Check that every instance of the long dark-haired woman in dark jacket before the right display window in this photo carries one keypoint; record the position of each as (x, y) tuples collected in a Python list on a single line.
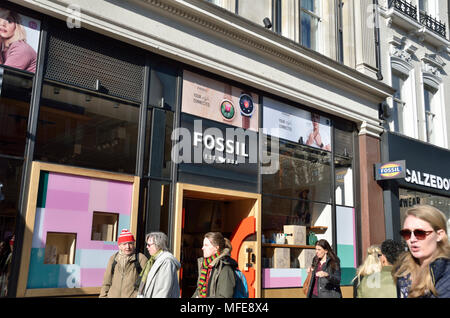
[(326, 273)]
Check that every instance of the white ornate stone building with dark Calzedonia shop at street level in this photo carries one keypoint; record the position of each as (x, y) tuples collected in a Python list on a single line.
[(415, 59)]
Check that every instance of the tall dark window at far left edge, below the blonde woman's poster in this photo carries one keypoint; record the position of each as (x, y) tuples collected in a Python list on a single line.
[(15, 94)]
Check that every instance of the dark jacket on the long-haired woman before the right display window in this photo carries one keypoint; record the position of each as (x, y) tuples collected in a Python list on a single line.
[(329, 287)]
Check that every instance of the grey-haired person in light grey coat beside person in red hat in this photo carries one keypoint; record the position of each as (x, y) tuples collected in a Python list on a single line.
[(159, 278)]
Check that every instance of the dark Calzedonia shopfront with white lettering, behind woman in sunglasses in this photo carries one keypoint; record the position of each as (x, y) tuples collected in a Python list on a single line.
[(426, 181)]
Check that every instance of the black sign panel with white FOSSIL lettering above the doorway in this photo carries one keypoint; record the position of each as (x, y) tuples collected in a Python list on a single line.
[(213, 154)]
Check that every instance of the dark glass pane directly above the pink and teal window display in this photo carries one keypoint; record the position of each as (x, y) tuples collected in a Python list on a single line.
[(88, 130)]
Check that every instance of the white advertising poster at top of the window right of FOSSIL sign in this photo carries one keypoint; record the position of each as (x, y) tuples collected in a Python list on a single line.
[(296, 125)]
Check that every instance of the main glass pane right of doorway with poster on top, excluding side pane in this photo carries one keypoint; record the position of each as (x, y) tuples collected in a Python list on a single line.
[(296, 202)]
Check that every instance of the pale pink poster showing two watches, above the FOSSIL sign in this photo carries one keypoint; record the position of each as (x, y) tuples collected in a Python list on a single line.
[(219, 101)]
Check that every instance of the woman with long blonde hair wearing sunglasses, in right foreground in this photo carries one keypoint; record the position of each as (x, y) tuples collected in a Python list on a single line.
[(424, 271)]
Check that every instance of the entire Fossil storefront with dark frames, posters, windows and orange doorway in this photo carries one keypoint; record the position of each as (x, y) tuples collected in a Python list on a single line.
[(102, 140)]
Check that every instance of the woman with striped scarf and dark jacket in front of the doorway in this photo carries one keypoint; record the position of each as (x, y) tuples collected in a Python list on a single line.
[(216, 268)]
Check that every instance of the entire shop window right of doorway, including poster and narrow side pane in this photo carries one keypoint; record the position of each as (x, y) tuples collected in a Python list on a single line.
[(297, 200)]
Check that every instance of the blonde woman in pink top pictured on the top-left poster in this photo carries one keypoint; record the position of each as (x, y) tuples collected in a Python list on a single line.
[(15, 51)]
